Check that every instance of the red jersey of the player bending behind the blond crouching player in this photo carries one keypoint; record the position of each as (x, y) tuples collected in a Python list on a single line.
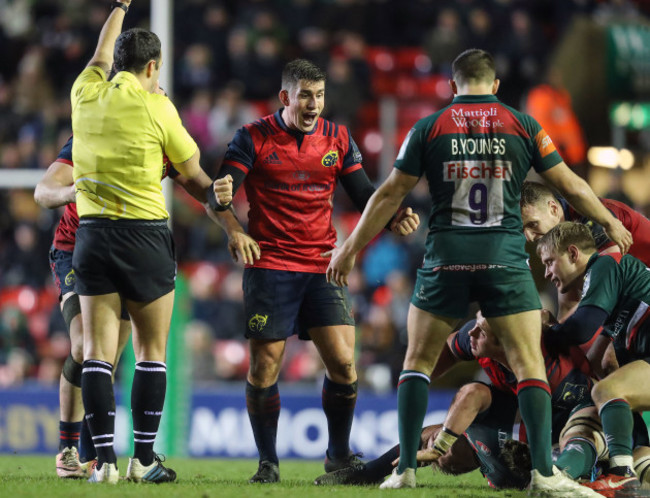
[(635, 222)]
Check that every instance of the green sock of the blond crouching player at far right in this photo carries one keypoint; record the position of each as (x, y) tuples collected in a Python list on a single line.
[(617, 421)]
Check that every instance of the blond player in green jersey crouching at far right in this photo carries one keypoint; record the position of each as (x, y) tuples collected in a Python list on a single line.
[(615, 295)]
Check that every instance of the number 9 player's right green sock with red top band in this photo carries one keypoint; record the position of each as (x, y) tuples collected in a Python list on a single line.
[(534, 397)]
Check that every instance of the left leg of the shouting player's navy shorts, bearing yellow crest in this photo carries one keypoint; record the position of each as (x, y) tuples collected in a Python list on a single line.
[(272, 300)]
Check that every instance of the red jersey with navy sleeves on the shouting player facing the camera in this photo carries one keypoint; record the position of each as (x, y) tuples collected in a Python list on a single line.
[(290, 182)]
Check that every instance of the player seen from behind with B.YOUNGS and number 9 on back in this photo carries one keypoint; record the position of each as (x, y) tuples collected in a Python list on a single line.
[(475, 154)]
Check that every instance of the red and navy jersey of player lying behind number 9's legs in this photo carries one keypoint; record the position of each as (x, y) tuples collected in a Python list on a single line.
[(568, 374)]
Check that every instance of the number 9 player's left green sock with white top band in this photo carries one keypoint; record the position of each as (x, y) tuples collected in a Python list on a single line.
[(412, 401)]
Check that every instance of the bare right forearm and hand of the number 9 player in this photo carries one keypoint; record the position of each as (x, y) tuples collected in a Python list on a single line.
[(582, 198)]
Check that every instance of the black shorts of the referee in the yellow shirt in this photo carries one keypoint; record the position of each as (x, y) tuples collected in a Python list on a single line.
[(135, 258)]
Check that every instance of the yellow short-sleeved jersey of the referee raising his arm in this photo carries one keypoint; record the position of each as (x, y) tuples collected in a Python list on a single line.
[(120, 133)]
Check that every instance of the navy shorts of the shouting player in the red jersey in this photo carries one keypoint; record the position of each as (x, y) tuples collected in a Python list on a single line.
[(279, 303)]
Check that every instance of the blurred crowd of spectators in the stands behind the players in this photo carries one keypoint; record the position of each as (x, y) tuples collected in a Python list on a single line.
[(227, 59)]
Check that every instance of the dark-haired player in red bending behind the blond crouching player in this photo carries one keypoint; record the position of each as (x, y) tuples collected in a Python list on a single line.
[(541, 210)]
